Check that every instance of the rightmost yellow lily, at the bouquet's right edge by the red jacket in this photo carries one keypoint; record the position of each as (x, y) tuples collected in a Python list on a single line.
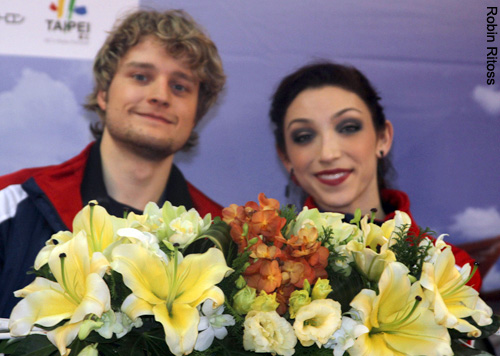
[(451, 299)]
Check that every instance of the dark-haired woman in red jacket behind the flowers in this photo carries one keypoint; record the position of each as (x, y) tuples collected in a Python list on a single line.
[(334, 140)]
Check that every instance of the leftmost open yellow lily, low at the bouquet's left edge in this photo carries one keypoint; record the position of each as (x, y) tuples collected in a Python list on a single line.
[(79, 291)]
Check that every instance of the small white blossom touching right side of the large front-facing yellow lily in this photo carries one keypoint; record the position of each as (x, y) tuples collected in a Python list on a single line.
[(212, 324)]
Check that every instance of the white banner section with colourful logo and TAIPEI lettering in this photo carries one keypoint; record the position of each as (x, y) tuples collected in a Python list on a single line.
[(58, 28)]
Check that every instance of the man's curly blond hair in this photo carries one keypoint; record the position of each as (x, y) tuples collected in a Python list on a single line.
[(183, 39)]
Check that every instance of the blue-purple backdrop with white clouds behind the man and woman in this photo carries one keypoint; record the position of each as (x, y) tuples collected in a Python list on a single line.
[(426, 57)]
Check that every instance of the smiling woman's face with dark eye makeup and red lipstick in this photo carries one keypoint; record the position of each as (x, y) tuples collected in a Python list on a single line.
[(332, 146)]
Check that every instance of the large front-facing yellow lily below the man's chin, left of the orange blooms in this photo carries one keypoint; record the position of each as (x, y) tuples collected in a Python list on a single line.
[(170, 290)]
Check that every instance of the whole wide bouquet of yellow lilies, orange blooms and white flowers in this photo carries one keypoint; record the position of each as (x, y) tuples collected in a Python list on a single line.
[(297, 284)]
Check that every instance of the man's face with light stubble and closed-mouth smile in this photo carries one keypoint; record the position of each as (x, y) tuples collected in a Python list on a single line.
[(151, 103)]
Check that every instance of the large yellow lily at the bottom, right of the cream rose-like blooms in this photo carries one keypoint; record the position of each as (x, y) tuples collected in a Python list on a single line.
[(399, 323)]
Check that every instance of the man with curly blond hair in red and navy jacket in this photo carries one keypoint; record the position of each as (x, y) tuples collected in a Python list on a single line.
[(156, 76)]
